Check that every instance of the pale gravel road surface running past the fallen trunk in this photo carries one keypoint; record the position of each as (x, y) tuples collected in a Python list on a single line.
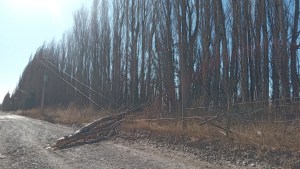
[(24, 142)]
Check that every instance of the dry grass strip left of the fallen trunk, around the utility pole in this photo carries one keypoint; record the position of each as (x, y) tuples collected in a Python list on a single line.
[(69, 115)]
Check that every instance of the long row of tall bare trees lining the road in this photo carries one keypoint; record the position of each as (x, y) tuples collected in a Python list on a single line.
[(189, 52)]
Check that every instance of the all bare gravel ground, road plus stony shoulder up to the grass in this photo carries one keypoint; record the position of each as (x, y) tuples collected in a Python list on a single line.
[(25, 143)]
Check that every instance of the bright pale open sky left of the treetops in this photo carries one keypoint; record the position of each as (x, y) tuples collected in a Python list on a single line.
[(24, 26)]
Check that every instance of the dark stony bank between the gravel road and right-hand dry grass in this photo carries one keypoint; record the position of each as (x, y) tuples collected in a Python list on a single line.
[(213, 151)]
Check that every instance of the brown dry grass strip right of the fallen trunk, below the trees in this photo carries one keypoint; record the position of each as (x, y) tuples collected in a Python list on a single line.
[(271, 136)]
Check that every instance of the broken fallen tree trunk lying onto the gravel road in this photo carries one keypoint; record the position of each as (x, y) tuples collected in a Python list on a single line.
[(101, 129)]
